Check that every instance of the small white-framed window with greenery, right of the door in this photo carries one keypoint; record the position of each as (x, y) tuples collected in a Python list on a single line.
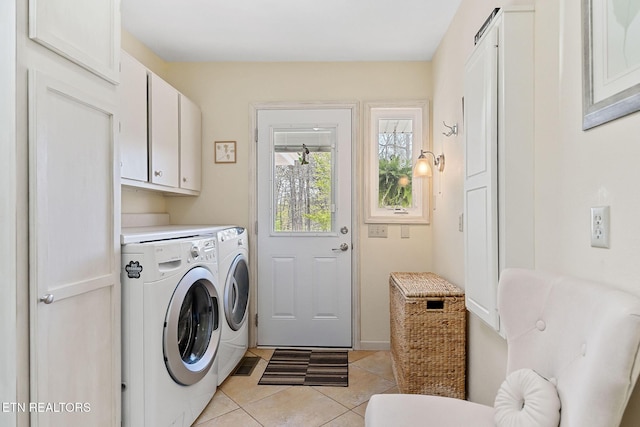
[(395, 134)]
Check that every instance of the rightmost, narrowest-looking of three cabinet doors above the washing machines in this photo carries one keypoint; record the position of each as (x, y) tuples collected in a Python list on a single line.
[(190, 145)]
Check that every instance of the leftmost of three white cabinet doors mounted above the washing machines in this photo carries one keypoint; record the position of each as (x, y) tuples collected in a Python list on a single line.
[(133, 120)]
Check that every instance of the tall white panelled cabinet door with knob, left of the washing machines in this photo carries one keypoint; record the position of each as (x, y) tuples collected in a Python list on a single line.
[(74, 253)]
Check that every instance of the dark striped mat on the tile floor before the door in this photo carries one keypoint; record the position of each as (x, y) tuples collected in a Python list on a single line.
[(307, 367)]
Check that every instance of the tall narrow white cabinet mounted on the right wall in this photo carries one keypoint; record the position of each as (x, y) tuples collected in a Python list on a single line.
[(499, 157)]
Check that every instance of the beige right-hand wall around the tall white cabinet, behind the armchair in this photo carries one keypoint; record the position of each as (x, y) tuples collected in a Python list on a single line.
[(574, 171)]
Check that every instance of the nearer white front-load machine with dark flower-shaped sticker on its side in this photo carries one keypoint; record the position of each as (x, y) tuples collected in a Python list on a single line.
[(172, 319)]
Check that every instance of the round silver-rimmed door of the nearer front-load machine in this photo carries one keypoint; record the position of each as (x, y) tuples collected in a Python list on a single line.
[(192, 327)]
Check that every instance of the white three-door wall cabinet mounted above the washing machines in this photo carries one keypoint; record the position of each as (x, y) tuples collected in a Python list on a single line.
[(160, 132)]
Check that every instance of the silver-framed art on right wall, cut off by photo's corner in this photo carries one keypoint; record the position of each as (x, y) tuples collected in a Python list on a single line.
[(611, 60)]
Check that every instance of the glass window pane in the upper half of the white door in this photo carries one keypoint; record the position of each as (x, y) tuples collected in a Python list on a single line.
[(303, 184)]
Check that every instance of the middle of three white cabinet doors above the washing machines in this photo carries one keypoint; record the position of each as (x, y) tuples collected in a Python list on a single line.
[(164, 132)]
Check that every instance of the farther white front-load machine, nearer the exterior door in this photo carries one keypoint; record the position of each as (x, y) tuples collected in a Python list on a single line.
[(233, 267)]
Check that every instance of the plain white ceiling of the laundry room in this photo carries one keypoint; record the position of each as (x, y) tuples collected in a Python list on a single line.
[(289, 30)]
